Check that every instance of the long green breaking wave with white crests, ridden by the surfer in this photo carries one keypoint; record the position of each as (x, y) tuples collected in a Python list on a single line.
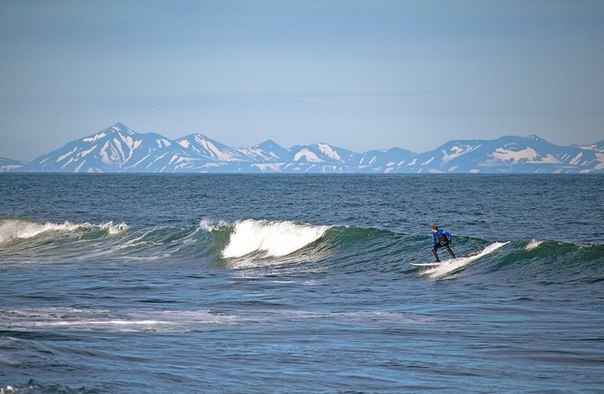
[(252, 243)]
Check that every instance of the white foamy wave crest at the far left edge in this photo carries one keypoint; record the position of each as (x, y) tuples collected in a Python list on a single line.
[(15, 229)]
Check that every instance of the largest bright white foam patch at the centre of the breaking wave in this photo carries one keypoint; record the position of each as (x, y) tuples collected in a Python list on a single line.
[(273, 238)]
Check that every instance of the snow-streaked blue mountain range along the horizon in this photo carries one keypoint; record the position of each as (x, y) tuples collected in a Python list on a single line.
[(118, 149)]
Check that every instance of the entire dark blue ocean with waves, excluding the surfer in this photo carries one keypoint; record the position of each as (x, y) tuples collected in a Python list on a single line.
[(300, 283)]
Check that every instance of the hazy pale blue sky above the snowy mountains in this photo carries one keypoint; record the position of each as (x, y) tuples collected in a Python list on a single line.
[(356, 74)]
